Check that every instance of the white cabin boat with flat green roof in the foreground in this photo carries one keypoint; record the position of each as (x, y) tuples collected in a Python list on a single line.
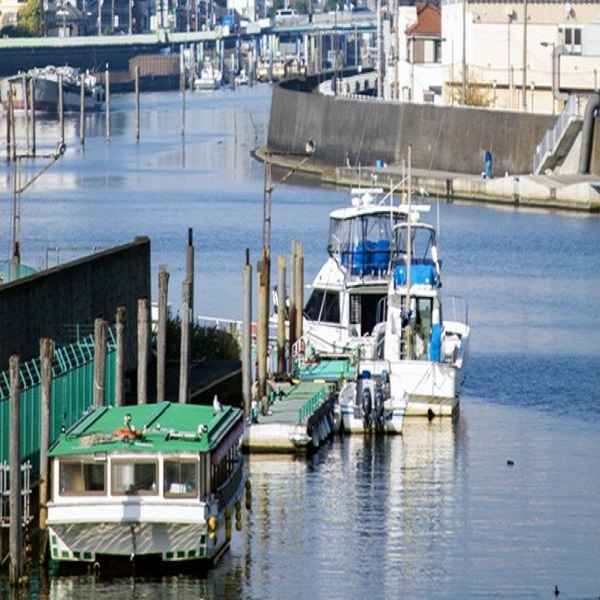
[(145, 484)]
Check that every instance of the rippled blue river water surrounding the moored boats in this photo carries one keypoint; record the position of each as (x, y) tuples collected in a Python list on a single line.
[(502, 503)]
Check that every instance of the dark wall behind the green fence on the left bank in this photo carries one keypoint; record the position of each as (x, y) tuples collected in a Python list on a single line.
[(51, 303)]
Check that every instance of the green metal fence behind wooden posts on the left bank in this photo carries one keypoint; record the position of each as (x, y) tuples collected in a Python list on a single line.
[(71, 394)]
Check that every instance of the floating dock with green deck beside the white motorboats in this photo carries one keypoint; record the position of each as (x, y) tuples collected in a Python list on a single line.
[(299, 416)]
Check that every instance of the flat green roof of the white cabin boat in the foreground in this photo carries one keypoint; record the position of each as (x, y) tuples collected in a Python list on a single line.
[(164, 428)]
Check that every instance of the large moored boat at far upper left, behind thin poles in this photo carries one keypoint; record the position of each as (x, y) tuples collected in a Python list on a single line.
[(46, 90)]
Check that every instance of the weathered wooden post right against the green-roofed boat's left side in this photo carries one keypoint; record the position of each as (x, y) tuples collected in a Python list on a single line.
[(46, 357)]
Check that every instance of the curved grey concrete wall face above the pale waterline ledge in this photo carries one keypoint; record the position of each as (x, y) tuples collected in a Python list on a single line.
[(442, 138)]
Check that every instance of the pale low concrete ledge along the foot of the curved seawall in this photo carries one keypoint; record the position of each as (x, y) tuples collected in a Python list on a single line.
[(576, 193)]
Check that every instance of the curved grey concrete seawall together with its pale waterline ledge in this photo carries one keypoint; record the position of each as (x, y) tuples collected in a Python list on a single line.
[(448, 147)]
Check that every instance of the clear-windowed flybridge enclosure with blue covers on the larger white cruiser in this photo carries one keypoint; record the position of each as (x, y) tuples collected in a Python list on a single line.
[(362, 243)]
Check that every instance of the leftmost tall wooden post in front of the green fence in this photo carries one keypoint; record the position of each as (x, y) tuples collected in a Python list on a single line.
[(15, 508)]
